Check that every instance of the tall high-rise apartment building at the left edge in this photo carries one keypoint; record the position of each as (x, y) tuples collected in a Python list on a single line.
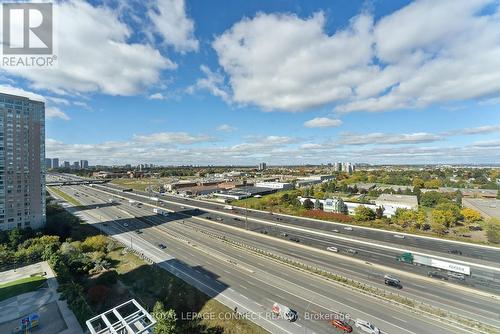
[(22, 162)]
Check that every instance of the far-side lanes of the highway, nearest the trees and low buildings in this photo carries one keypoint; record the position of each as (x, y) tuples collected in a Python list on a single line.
[(485, 272)]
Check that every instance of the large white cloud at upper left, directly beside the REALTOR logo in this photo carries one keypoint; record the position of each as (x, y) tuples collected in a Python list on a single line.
[(94, 54)]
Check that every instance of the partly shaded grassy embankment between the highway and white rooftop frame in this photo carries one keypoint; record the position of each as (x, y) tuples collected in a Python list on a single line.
[(147, 284)]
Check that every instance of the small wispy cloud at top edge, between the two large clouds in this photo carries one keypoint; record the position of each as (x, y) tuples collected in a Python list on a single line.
[(170, 20)]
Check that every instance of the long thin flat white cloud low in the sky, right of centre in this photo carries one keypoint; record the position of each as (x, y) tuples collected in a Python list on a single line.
[(388, 138)]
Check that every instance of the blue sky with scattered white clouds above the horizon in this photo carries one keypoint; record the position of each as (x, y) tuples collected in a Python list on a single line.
[(232, 82)]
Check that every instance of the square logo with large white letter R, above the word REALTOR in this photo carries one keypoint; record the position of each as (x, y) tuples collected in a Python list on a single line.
[(27, 29)]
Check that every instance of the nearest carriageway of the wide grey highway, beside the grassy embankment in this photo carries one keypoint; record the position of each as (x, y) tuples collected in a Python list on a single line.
[(296, 288)]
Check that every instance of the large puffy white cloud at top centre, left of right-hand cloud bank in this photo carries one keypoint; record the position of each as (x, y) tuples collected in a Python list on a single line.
[(288, 63)]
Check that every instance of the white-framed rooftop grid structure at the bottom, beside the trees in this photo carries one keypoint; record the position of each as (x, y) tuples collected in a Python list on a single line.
[(127, 318)]
